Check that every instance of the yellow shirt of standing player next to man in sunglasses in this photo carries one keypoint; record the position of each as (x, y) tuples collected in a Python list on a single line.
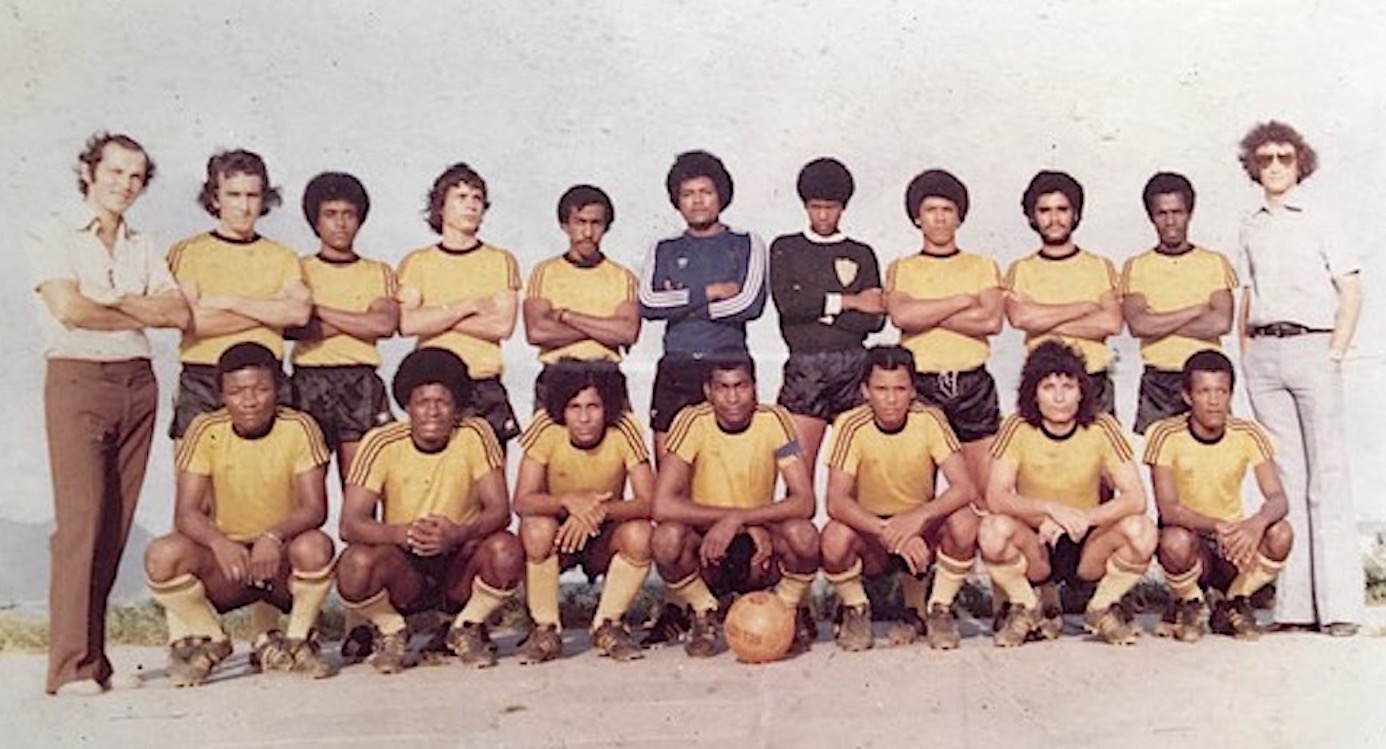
[(1176, 282)]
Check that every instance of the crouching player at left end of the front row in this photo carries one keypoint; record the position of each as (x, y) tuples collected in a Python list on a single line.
[(250, 504)]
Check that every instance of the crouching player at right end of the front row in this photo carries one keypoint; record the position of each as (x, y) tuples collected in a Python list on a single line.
[(1198, 464)]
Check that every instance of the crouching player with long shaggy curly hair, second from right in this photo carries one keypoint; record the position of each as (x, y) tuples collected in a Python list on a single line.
[(1050, 521)]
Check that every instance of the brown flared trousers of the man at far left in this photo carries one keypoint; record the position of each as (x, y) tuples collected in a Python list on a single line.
[(100, 422)]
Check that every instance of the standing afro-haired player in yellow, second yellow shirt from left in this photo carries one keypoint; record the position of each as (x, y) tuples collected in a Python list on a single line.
[(354, 307)]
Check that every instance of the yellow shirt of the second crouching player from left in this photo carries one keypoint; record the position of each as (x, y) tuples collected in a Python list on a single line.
[(415, 485)]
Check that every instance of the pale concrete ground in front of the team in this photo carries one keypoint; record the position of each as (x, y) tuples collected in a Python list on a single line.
[(1284, 691)]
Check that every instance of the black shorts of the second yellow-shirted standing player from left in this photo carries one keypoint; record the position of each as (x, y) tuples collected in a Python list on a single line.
[(346, 402)]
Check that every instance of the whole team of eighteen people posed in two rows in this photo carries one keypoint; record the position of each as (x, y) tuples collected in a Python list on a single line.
[(708, 481)]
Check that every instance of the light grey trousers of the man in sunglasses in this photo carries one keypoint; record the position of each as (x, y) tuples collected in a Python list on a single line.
[(1297, 393)]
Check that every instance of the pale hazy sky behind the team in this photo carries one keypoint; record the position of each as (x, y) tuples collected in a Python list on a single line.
[(540, 96)]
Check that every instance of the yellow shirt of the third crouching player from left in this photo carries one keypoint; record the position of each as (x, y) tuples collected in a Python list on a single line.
[(572, 470)]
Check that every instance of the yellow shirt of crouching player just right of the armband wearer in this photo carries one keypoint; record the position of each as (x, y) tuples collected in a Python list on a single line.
[(895, 471)]
